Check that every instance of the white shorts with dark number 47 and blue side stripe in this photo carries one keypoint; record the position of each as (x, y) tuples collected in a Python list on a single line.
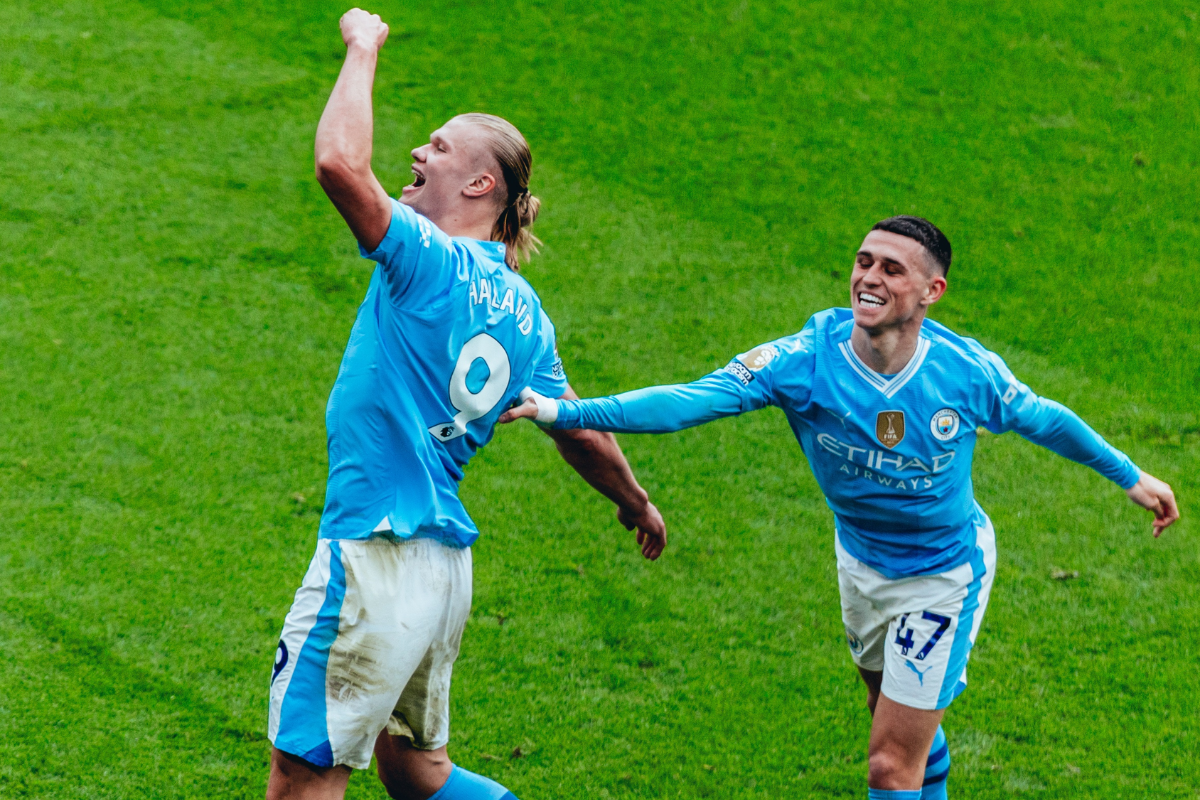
[(917, 631)]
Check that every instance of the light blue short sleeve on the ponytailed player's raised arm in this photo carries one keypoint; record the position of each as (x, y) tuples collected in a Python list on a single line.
[(417, 260)]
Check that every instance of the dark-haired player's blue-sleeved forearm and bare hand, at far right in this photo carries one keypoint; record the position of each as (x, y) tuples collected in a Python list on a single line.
[(1057, 428)]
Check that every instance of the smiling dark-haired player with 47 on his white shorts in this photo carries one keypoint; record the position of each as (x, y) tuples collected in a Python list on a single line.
[(886, 405)]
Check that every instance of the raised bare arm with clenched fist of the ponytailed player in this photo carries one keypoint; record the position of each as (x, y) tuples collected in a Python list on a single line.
[(345, 135)]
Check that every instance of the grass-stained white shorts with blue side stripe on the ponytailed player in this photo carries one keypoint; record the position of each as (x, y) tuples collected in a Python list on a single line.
[(369, 645)]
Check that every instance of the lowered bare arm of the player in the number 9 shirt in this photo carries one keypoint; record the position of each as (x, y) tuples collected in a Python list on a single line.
[(597, 458)]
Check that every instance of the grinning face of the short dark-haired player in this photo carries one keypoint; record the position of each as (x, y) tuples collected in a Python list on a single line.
[(893, 284)]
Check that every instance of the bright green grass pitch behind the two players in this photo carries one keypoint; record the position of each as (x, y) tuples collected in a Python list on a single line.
[(176, 293)]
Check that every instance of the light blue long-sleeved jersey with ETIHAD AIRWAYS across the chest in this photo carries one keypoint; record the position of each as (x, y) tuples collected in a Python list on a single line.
[(891, 453)]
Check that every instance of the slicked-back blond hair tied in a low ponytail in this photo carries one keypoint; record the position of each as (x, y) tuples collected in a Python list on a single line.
[(519, 208)]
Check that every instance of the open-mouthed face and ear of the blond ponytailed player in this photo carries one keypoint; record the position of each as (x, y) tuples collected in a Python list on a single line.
[(453, 172)]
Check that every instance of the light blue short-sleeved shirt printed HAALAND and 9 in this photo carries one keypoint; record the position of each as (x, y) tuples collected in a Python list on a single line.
[(445, 341)]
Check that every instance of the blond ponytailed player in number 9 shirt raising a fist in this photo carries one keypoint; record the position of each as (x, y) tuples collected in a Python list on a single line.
[(447, 338)]
